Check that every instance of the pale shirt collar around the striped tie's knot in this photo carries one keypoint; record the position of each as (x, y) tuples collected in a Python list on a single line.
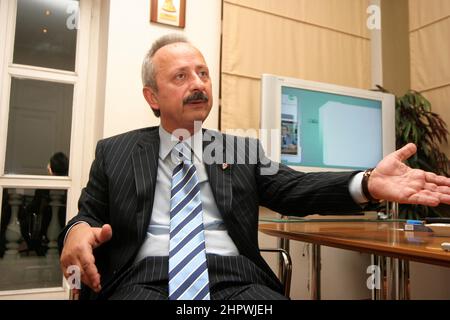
[(168, 141)]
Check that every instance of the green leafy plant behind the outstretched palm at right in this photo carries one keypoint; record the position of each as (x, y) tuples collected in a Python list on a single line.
[(416, 123)]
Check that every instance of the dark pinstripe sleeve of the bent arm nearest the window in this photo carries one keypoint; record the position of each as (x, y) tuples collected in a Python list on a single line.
[(93, 202)]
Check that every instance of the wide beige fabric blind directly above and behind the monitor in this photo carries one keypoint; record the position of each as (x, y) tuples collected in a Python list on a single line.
[(320, 40)]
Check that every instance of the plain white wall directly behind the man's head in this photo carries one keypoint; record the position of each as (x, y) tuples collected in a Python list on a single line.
[(129, 38)]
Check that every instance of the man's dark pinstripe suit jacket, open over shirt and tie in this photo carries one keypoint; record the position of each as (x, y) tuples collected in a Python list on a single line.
[(122, 183)]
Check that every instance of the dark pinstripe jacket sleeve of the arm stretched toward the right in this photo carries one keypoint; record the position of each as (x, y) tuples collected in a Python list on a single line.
[(291, 192)]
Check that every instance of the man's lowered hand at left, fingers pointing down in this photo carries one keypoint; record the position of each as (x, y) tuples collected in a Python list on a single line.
[(78, 251)]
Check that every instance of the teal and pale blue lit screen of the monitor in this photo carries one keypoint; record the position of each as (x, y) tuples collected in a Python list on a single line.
[(320, 129)]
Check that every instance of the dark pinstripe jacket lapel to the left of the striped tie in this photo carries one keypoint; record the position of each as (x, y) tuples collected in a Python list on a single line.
[(145, 165)]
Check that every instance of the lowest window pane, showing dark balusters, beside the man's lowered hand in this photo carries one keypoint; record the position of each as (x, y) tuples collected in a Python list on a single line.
[(31, 220)]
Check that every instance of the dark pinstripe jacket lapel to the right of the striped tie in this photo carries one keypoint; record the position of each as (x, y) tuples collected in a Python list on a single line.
[(219, 174)]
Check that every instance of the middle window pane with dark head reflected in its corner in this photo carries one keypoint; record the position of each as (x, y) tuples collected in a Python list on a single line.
[(39, 127)]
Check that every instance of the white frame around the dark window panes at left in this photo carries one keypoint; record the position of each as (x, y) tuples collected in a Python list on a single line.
[(80, 145)]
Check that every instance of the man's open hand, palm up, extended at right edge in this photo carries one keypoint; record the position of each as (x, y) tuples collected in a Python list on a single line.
[(393, 180)]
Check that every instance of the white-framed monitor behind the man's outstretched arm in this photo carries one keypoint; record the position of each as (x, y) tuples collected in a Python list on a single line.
[(313, 126)]
